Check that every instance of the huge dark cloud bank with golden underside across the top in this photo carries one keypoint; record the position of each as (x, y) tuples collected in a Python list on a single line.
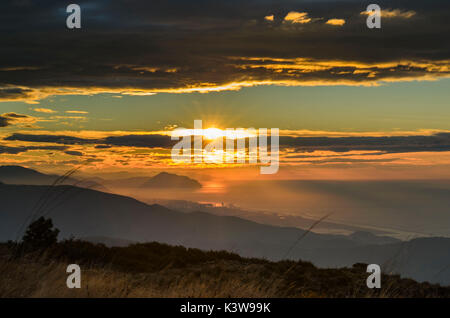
[(187, 45)]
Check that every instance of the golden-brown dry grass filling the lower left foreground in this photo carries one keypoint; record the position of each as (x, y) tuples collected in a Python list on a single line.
[(24, 279)]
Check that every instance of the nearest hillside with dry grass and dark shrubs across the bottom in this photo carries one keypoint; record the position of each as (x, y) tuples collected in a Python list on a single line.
[(158, 270)]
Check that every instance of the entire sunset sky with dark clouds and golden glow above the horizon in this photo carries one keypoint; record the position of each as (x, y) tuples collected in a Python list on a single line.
[(350, 102)]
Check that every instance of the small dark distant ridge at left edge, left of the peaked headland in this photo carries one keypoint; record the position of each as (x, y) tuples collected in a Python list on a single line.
[(22, 175)]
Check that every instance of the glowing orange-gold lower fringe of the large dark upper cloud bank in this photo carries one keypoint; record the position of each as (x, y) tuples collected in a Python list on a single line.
[(264, 71)]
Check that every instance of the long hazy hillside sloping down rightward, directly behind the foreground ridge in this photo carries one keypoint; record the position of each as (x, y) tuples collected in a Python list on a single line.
[(88, 213)]
